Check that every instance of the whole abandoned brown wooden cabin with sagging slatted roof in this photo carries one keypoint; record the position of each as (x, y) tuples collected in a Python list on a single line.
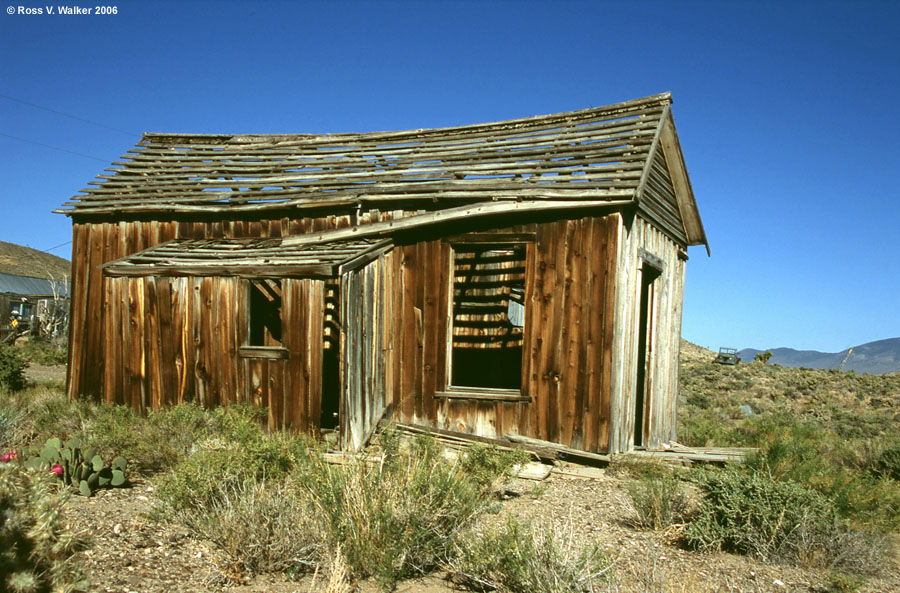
[(521, 277)]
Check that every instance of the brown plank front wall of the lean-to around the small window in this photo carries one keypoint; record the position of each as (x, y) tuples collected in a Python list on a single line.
[(173, 340)]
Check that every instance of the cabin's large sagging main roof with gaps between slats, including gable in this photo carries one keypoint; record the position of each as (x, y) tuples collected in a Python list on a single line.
[(622, 153)]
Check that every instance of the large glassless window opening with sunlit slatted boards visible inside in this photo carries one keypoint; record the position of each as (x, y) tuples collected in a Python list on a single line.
[(488, 316)]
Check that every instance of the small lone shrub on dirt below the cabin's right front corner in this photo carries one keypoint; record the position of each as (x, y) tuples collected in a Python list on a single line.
[(657, 501)]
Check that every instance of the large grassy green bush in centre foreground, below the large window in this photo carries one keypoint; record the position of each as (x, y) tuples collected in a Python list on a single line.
[(397, 517)]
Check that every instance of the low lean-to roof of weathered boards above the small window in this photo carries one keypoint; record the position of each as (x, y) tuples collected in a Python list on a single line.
[(252, 258)]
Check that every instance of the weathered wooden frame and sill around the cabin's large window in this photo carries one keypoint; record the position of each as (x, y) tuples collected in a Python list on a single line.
[(466, 392)]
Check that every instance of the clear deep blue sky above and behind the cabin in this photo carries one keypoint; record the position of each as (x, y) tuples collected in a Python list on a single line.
[(787, 114)]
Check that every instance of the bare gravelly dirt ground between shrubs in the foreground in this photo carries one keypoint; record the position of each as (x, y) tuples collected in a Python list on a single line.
[(131, 553)]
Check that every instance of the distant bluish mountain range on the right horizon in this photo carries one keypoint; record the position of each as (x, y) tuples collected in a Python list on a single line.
[(877, 358)]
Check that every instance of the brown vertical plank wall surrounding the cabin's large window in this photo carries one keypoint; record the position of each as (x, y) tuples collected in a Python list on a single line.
[(568, 338)]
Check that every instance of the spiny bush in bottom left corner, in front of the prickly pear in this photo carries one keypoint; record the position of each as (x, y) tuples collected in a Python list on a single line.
[(36, 545)]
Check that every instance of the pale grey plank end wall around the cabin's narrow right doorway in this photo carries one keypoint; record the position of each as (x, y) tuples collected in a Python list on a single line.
[(638, 239)]
